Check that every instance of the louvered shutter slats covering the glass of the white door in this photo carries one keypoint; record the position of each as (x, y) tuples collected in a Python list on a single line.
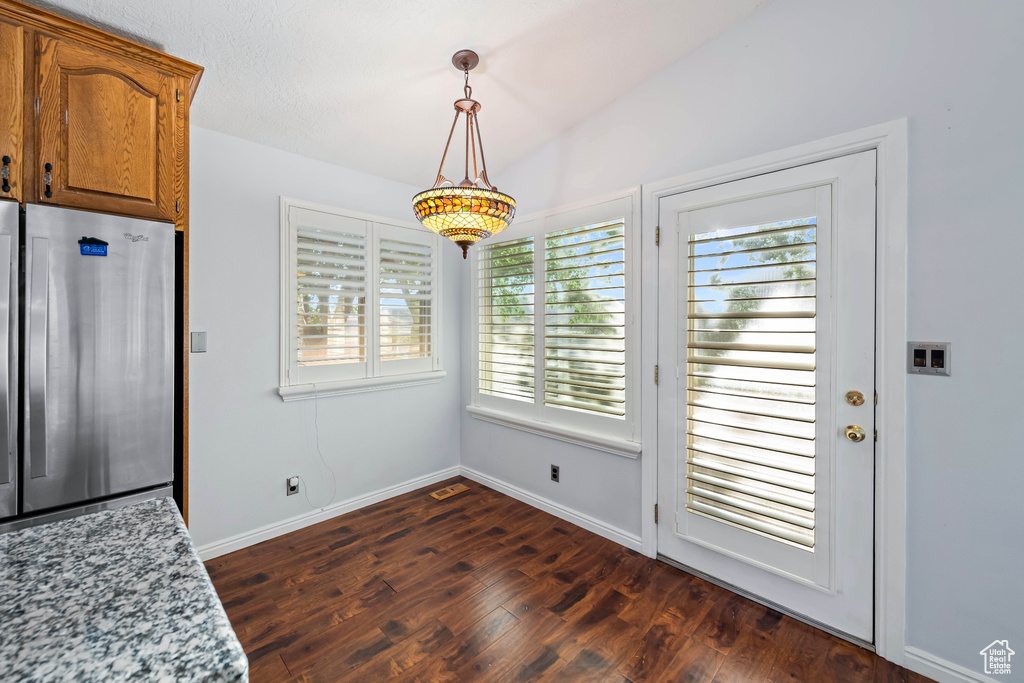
[(751, 379)]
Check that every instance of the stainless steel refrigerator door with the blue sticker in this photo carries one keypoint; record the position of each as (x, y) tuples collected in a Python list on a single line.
[(99, 388)]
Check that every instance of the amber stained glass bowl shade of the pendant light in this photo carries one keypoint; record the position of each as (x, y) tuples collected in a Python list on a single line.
[(464, 216)]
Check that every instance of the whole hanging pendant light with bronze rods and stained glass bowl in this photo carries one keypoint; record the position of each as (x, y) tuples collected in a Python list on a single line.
[(473, 210)]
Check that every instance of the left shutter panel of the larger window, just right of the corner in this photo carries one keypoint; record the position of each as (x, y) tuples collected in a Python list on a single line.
[(506, 300)]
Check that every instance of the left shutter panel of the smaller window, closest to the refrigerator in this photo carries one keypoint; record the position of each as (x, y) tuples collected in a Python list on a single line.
[(331, 263)]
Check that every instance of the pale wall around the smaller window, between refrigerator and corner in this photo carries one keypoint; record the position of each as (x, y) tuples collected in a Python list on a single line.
[(244, 442)]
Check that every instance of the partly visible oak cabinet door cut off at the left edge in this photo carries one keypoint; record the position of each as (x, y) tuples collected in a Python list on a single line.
[(12, 110)]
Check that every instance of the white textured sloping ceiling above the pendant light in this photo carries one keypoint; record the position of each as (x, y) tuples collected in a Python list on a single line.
[(369, 84)]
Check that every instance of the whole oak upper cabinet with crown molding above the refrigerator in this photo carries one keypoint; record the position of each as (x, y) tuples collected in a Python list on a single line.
[(91, 120)]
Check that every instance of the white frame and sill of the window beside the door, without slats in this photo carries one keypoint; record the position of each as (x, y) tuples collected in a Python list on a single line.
[(620, 437)]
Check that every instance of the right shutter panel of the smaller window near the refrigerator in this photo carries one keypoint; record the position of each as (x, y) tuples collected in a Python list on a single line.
[(407, 296)]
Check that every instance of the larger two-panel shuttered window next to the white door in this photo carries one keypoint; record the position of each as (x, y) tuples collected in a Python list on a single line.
[(557, 330)]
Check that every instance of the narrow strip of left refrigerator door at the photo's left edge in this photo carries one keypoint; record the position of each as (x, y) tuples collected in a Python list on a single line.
[(9, 358)]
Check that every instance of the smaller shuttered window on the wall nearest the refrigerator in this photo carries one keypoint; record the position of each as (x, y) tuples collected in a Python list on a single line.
[(360, 303)]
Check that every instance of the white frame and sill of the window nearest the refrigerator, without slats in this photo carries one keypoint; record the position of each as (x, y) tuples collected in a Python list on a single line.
[(373, 374)]
